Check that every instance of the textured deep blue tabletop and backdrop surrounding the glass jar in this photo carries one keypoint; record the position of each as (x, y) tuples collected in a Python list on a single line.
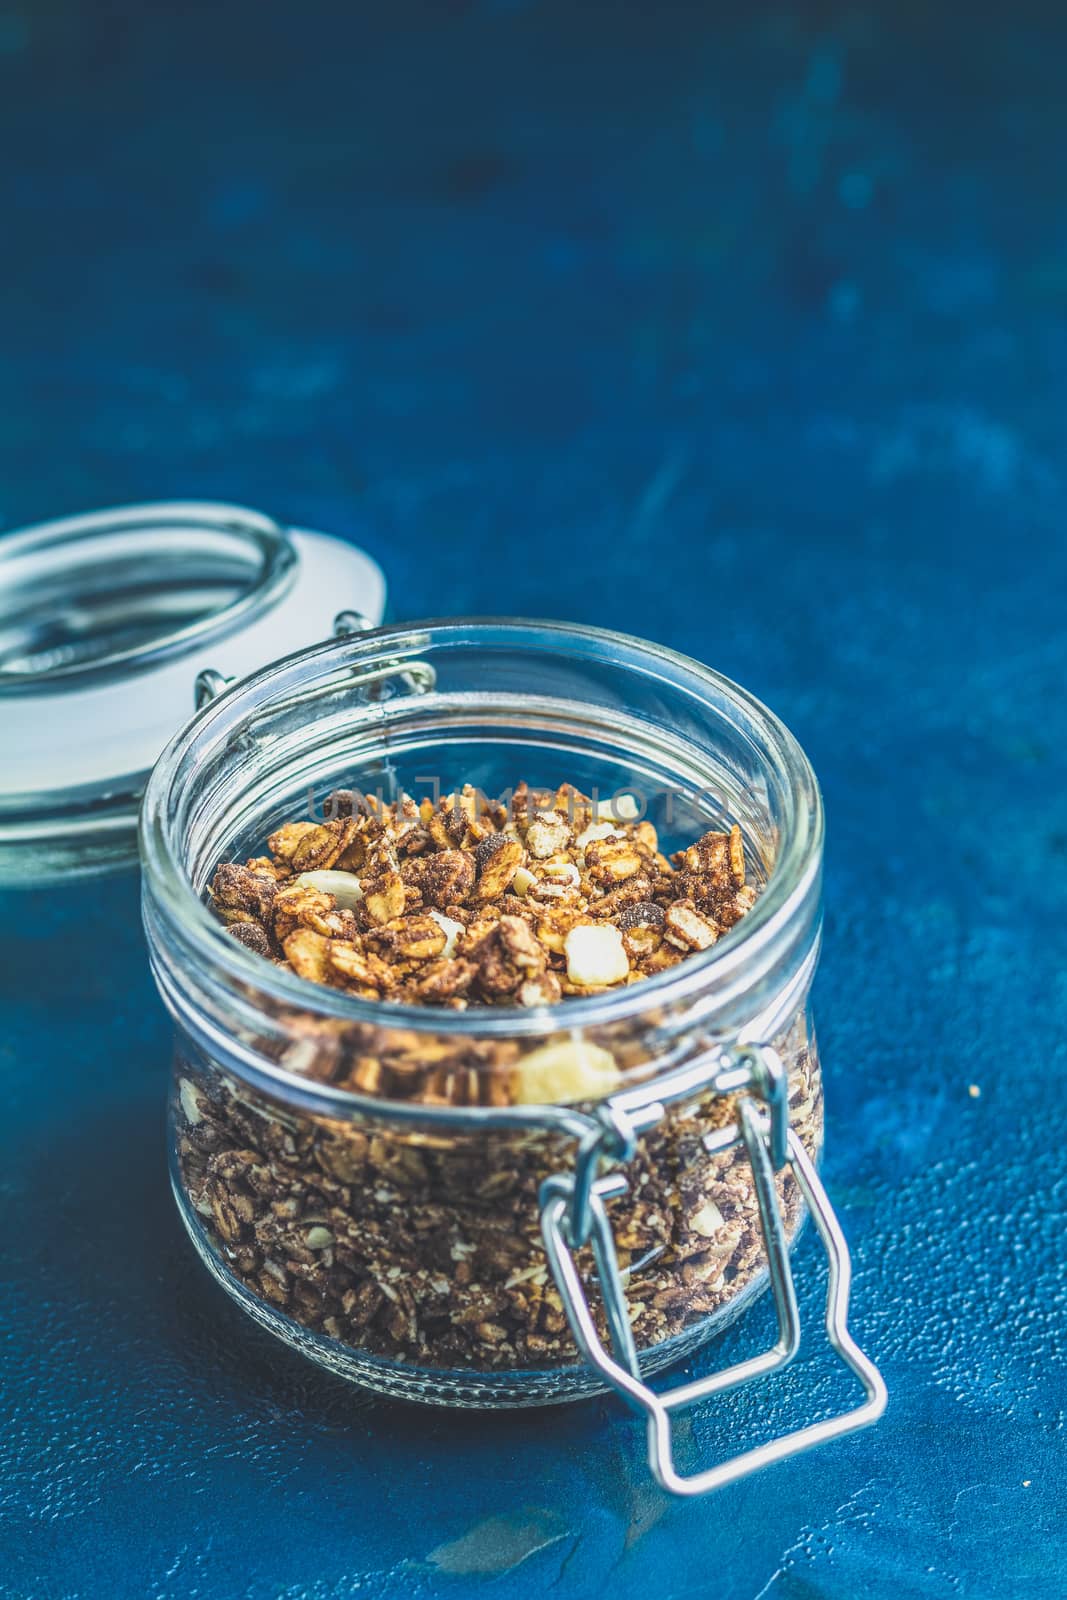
[(749, 337)]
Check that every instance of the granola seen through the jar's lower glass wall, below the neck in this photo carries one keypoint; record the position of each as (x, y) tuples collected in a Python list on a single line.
[(428, 1250)]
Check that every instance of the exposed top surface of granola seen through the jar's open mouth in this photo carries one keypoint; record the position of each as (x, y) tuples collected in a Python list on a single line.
[(476, 903)]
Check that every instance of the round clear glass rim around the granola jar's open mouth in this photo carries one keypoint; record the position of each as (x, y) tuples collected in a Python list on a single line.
[(788, 890)]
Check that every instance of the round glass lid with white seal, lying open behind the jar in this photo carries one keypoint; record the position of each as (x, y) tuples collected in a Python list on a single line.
[(108, 623)]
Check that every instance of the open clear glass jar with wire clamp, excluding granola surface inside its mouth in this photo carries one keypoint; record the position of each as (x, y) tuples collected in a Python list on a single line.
[(364, 1177)]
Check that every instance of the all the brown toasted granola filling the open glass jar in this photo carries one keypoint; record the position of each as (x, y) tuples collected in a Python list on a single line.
[(425, 1247)]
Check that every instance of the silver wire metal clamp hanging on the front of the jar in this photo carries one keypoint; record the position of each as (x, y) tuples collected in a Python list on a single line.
[(573, 1199)]
